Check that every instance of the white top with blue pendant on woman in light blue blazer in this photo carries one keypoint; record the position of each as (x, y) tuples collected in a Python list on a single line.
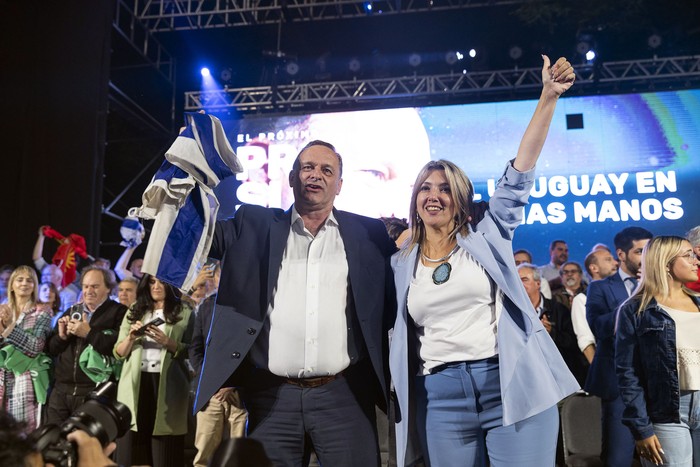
[(455, 321)]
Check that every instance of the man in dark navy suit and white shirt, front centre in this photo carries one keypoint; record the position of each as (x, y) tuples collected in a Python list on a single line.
[(301, 319)]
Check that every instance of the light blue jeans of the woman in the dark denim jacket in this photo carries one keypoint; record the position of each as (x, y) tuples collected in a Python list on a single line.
[(681, 441)]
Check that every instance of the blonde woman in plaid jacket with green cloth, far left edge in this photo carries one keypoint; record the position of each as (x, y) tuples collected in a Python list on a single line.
[(24, 328)]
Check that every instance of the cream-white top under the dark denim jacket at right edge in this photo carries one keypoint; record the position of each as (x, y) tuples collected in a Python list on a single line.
[(687, 347)]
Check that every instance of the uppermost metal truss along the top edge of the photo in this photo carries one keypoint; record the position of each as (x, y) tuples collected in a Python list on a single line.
[(174, 15)]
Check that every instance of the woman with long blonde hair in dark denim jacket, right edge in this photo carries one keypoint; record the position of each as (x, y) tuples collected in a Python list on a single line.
[(657, 356)]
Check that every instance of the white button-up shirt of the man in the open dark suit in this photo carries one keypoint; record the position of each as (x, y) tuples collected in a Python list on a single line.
[(306, 332)]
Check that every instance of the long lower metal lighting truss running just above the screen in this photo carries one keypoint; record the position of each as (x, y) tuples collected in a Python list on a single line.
[(634, 75)]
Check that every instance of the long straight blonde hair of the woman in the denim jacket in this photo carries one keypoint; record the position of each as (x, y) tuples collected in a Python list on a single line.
[(657, 258)]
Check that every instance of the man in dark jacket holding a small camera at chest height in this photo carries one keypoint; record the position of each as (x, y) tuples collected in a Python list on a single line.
[(95, 322)]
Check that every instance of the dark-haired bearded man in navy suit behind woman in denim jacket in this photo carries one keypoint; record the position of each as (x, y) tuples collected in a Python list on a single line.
[(603, 298)]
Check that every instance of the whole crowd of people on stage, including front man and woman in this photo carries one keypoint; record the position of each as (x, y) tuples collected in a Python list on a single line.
[(302, 321)]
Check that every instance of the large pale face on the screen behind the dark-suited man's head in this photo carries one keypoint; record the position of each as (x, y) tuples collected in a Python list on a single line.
[(382, 150)]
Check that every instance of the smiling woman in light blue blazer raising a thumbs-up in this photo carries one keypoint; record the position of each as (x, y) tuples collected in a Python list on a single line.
[(475, 372)]
